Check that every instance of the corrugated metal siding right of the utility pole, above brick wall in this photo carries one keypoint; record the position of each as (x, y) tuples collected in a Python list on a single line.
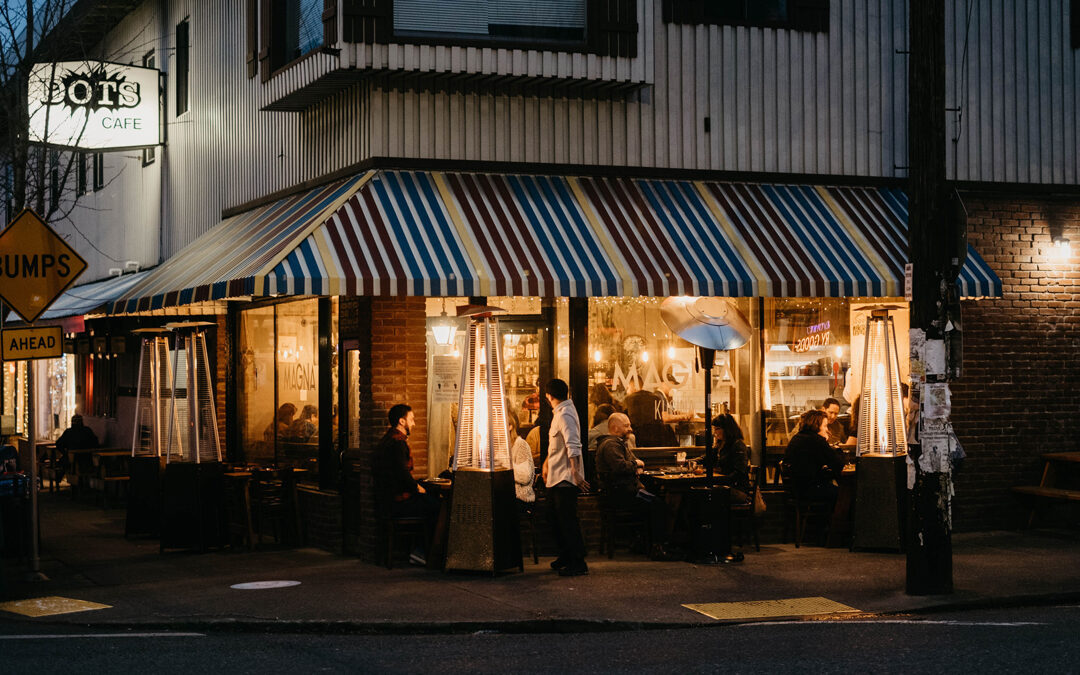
[(1017, 82)]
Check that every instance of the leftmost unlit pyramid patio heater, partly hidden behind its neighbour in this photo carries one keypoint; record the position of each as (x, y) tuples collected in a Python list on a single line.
[(153, 404)]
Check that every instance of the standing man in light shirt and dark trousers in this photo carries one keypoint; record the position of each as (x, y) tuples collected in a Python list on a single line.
[(565, 477)]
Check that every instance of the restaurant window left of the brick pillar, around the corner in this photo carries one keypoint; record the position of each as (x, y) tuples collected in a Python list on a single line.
[(280, 421)]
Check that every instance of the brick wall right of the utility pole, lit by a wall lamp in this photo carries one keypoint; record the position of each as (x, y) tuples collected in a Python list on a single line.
[(1020, 390)]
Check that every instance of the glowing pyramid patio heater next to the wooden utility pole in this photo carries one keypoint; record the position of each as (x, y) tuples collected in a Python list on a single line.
[(883, 441)]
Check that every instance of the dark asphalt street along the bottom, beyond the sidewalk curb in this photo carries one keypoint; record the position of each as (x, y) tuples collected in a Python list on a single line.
[(1035, 640)]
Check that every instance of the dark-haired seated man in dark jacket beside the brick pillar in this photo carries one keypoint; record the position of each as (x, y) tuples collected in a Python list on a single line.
[(397, 492)]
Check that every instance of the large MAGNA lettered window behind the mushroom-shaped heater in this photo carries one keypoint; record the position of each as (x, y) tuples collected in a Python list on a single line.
[(640, 367)]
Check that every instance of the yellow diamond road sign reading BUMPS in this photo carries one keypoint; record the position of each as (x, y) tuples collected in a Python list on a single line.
[(36, 266)]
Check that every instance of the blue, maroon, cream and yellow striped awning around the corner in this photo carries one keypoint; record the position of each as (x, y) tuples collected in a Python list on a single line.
[(433, 234)]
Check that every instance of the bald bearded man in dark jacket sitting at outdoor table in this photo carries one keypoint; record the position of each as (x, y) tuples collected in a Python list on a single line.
[(617, 469)]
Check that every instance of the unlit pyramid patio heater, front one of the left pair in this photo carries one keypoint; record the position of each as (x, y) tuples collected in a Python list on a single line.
[(193, 503)]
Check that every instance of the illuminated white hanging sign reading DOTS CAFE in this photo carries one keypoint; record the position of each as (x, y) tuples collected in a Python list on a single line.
[(94, 105)]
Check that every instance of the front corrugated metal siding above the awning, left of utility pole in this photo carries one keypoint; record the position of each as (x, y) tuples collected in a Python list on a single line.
[(778, 101)]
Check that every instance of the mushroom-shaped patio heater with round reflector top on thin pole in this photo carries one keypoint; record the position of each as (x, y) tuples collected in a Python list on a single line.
[(712, 325)]
